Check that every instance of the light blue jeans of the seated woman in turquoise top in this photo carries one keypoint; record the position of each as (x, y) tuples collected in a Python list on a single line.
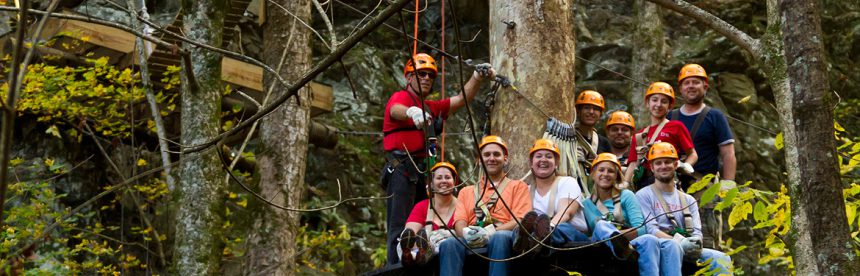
[(656, 256)]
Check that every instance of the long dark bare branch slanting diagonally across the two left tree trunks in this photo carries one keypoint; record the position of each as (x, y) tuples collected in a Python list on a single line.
[(319, 68)]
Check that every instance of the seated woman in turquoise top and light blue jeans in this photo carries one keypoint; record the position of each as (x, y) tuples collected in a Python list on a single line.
[(611, 212)]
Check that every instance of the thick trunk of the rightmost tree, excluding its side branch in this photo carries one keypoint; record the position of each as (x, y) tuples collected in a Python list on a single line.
[(821, 245)]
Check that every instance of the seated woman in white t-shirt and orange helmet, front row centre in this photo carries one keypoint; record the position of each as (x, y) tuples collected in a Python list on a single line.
[(555, 202)]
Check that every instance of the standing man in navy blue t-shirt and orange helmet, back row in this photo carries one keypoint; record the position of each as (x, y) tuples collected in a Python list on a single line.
[(712, 139)]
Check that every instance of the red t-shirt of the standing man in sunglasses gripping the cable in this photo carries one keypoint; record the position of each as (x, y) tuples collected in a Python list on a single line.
[(404, 132)]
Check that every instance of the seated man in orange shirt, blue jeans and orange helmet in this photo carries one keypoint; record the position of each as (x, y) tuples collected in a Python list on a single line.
[(485, 213)]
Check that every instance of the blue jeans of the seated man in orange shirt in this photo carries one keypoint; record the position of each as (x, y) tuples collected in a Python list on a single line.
[(452, 254)]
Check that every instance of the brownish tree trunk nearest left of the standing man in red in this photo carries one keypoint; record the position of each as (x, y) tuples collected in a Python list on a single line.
[(284, 140)]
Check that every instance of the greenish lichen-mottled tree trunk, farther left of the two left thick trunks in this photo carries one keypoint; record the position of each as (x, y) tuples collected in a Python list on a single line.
[(202, 188)]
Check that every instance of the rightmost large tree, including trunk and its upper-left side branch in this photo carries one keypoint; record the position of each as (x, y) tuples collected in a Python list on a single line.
[(791, 53)]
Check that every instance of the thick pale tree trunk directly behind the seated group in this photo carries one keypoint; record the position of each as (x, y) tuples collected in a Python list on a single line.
[(538, 54)]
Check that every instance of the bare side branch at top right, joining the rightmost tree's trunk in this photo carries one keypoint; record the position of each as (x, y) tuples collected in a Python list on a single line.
[(728, 30)]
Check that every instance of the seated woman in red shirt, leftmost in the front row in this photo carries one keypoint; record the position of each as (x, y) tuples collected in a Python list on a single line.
[(420, 241)]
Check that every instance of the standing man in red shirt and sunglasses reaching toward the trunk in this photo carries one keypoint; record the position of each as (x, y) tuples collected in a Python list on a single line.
[(403, 126)]
